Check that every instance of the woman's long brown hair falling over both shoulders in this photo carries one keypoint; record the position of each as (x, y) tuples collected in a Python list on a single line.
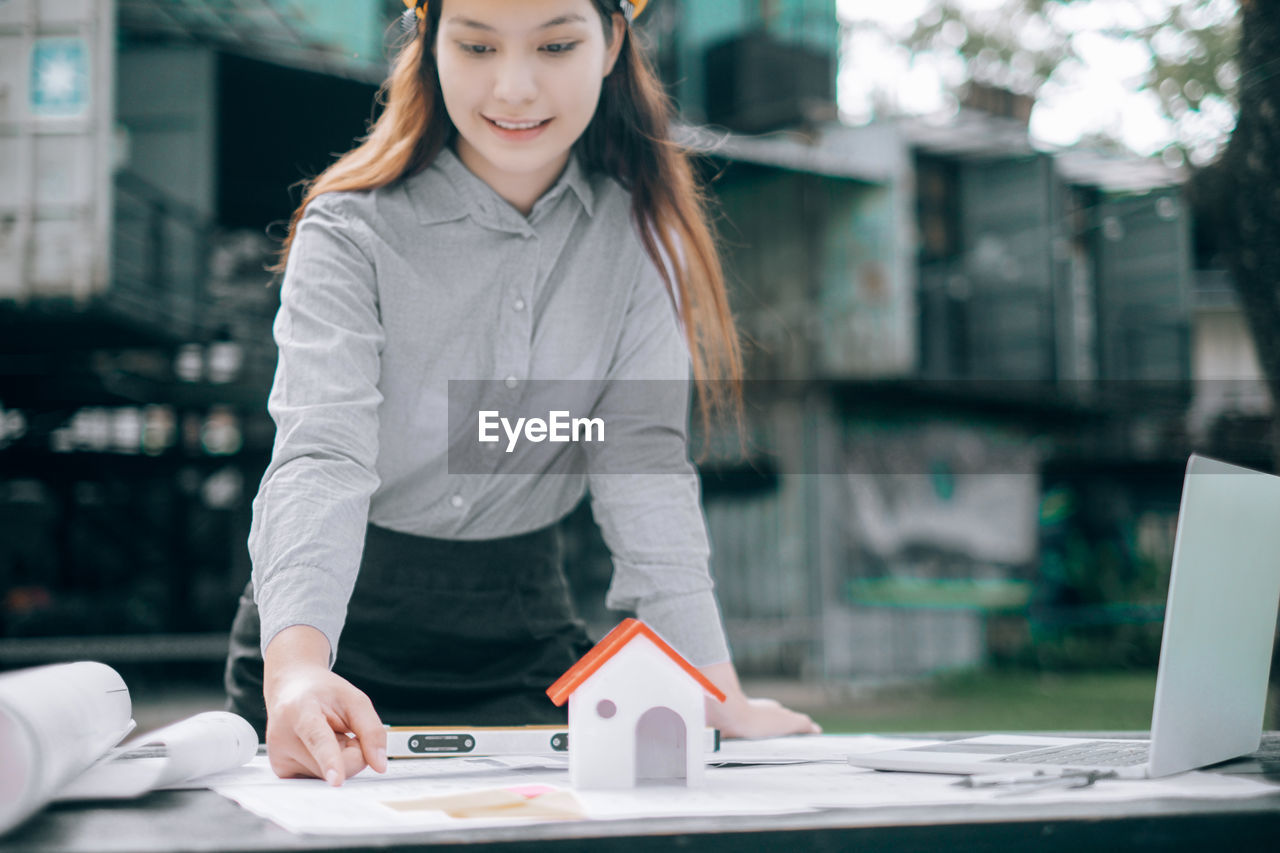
[(628, 139)]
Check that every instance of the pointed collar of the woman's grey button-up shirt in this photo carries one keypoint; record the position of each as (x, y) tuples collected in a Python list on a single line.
[(463, 193)]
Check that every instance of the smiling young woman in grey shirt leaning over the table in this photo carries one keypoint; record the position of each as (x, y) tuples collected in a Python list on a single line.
[(516, 215)]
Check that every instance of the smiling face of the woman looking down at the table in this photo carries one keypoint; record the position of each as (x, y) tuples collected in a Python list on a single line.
[(522, 80)]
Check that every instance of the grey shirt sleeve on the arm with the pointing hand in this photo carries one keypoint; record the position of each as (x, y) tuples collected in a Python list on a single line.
[(312, 510)]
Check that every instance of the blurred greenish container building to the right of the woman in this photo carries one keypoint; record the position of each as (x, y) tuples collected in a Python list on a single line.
[(977, 368)]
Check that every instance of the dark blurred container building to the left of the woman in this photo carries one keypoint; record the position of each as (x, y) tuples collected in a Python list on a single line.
[(148, 158)]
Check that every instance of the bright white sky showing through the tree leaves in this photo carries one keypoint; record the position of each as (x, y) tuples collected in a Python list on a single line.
[(1101, 97)]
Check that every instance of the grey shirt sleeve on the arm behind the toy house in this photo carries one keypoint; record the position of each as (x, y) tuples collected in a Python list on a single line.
[(646, 495)]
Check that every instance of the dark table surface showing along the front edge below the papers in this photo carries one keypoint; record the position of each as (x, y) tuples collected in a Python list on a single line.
[(202, 820)]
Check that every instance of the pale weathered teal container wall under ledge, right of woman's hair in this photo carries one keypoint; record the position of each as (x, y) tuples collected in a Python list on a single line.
[(817, 250)]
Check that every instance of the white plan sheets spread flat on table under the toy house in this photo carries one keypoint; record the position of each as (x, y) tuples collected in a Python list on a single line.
[(372, 804)]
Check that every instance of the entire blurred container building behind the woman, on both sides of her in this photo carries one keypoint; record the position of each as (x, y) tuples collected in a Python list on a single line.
[(976, 367)]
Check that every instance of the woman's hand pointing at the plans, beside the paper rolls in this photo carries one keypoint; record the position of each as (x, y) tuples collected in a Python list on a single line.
[(310, 713)]
